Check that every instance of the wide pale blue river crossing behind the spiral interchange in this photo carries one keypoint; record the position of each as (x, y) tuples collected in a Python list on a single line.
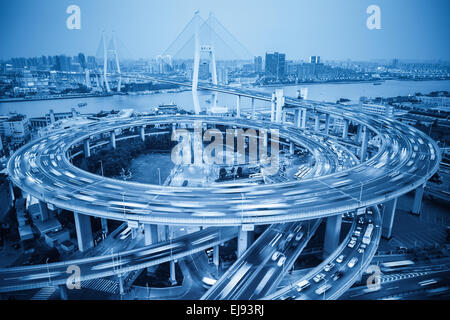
[(330, 92)]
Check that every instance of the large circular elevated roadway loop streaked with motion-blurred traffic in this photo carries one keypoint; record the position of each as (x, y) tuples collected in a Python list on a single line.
[(405, 160)]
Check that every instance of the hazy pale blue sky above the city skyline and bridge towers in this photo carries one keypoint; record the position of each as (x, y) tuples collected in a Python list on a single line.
[(333, 29)]
